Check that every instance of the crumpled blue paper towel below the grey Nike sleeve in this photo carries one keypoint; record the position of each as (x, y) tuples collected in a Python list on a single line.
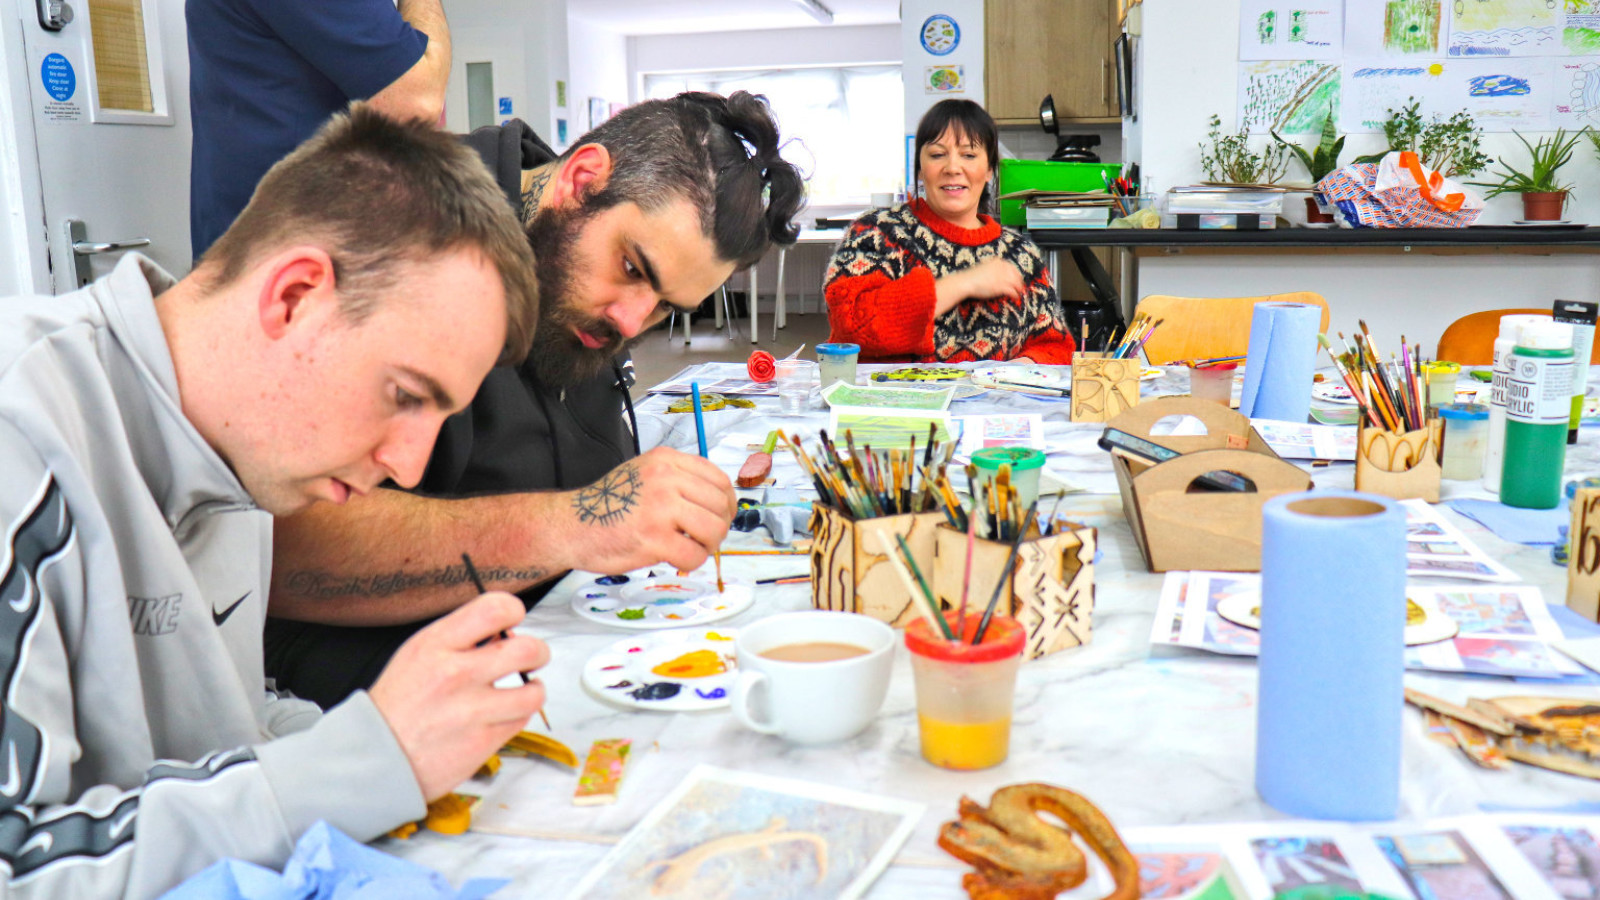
[(329, 866)]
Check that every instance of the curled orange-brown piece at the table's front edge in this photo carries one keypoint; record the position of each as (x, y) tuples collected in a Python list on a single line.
[(1022, 858)]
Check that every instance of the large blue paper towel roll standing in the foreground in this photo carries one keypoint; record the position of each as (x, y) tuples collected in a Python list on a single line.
[(1330, 693)]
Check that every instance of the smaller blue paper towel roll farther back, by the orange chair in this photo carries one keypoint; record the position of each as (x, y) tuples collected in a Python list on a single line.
[(1281, 361)]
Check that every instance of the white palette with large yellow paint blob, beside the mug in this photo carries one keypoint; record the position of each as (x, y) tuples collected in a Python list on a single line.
[(673, 672)]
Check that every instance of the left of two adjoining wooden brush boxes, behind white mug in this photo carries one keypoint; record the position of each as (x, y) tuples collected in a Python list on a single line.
[(850, 565)]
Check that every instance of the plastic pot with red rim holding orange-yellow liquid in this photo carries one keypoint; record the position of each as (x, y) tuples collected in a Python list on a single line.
[(966, 691)]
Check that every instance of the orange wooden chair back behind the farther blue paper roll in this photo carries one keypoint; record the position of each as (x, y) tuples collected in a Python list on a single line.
[(1204, 327)]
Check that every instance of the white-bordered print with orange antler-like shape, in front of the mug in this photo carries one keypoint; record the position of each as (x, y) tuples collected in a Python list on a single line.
[(737, 835)]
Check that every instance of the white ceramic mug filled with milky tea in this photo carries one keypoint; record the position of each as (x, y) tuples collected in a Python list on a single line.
[(814, 702)]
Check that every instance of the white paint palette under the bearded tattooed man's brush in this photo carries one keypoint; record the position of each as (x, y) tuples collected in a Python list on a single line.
[(649, 600)]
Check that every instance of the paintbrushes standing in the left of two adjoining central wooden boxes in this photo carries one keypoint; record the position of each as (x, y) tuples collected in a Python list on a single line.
[(868, 484)]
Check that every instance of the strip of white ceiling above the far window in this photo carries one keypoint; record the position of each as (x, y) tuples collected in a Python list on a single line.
[(692, 17)]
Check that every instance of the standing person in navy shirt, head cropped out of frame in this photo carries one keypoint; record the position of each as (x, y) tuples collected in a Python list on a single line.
[(266, 74)]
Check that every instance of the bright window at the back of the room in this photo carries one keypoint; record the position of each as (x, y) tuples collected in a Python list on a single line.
[(839, 126)]
